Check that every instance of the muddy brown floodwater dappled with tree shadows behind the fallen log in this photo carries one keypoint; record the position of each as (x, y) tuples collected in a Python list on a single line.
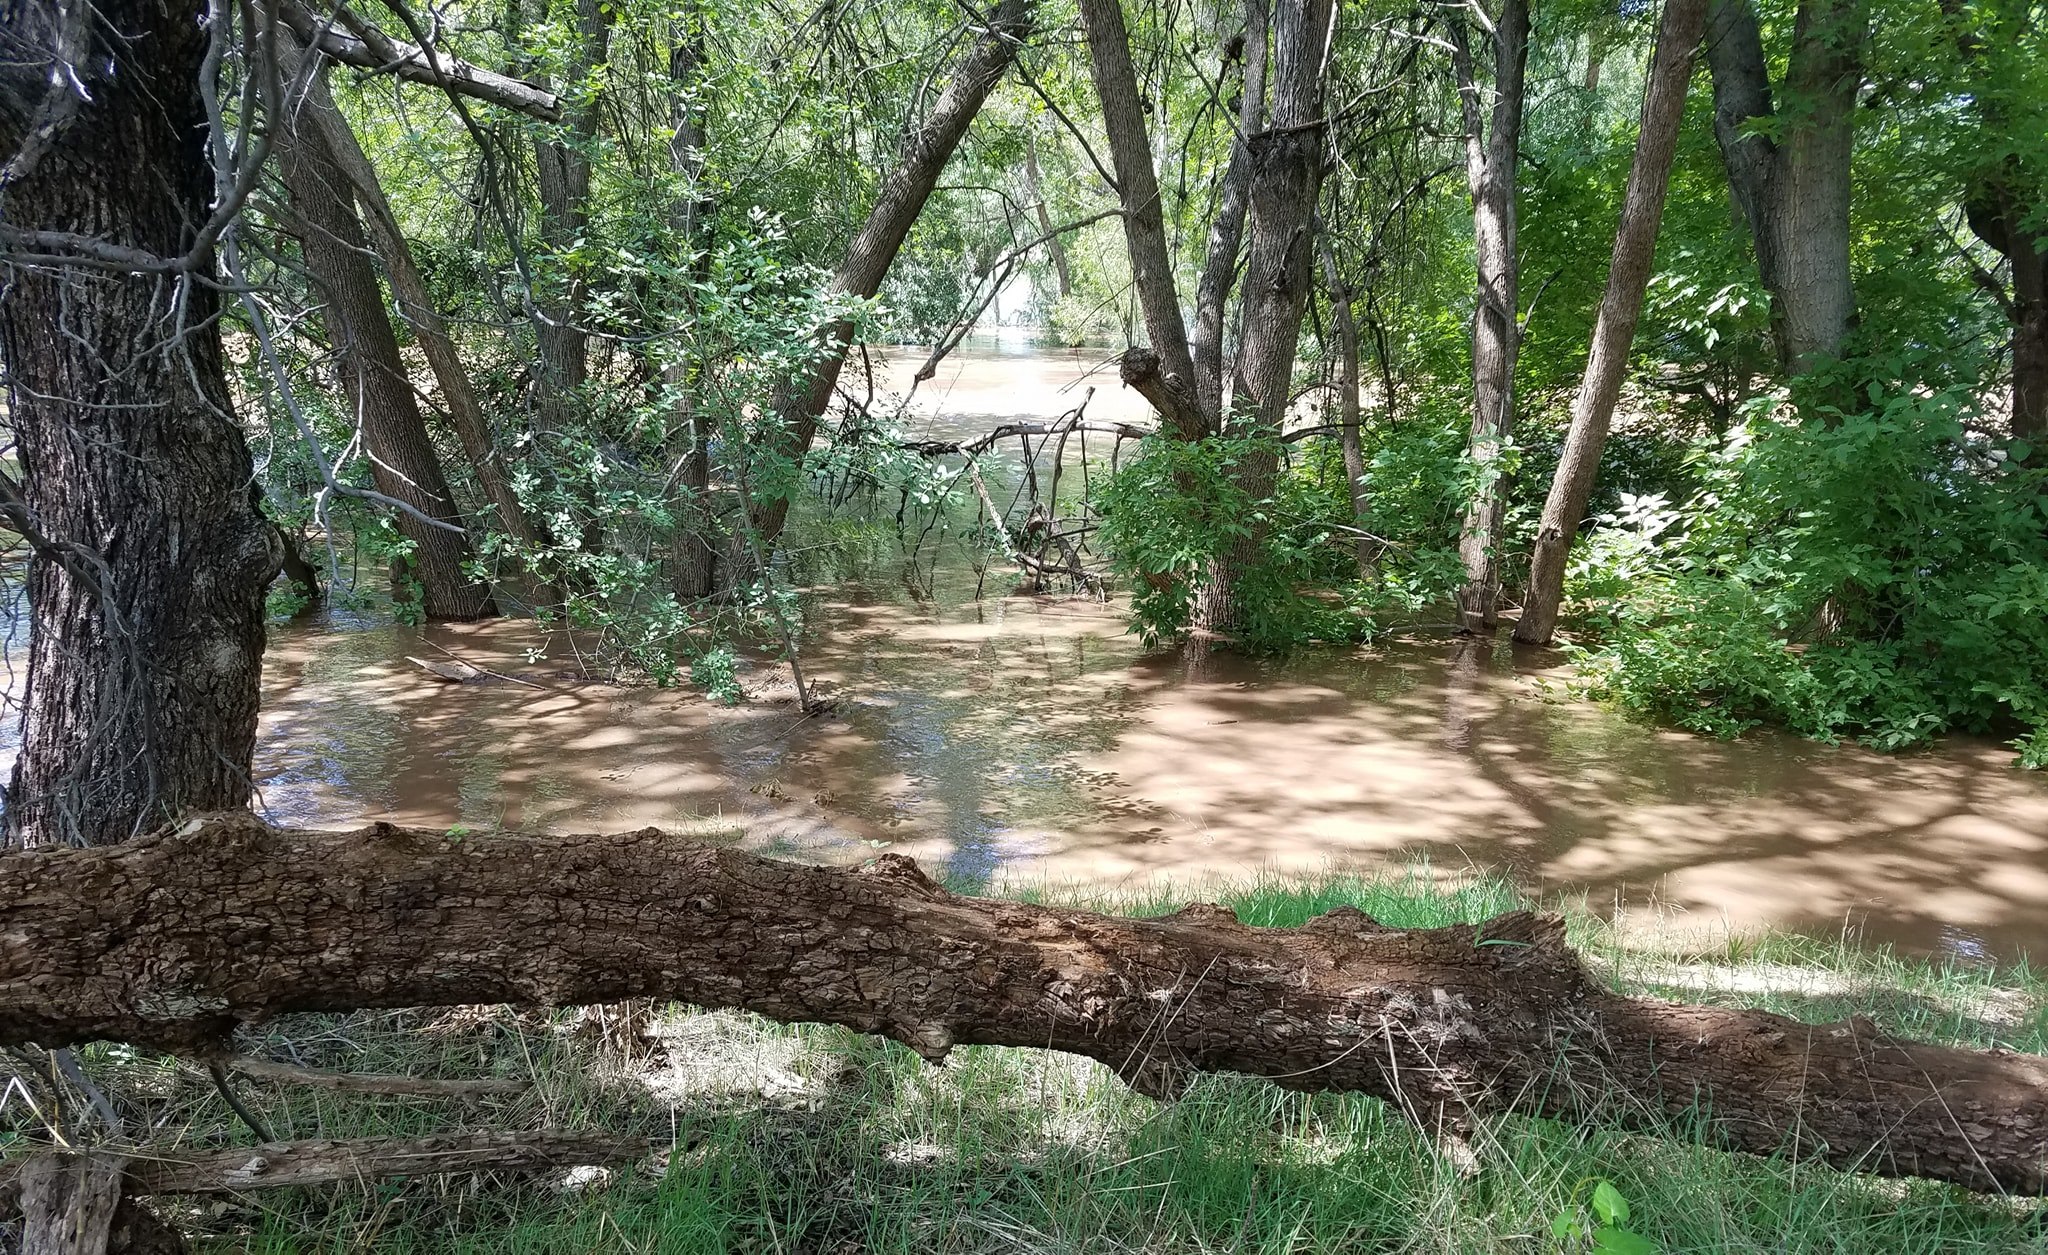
[(1029, 740)]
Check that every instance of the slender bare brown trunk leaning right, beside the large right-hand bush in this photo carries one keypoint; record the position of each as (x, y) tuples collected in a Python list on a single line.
[(1629, 275)]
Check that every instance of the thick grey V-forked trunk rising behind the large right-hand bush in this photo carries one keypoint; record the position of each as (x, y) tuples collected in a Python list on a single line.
[(1795, 187)]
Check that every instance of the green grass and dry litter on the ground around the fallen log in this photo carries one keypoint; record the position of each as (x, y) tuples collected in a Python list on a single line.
[(830, 1143)]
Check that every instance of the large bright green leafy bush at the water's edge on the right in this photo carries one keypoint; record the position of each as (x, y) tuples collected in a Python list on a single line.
[(1881, 576)]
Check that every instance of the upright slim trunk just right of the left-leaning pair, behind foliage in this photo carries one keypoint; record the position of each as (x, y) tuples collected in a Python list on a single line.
[(562, 173)]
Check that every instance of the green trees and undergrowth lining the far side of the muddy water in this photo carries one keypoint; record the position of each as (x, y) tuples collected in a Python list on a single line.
[(1789, 449)]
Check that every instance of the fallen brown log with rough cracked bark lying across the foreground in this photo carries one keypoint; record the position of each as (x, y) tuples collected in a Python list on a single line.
[(177, 939)]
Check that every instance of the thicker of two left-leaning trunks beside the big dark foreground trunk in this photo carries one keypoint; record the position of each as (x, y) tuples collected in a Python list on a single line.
[(402, 458)]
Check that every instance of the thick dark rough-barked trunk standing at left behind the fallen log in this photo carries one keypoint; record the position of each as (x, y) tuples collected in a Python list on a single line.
[(148, 554)]
